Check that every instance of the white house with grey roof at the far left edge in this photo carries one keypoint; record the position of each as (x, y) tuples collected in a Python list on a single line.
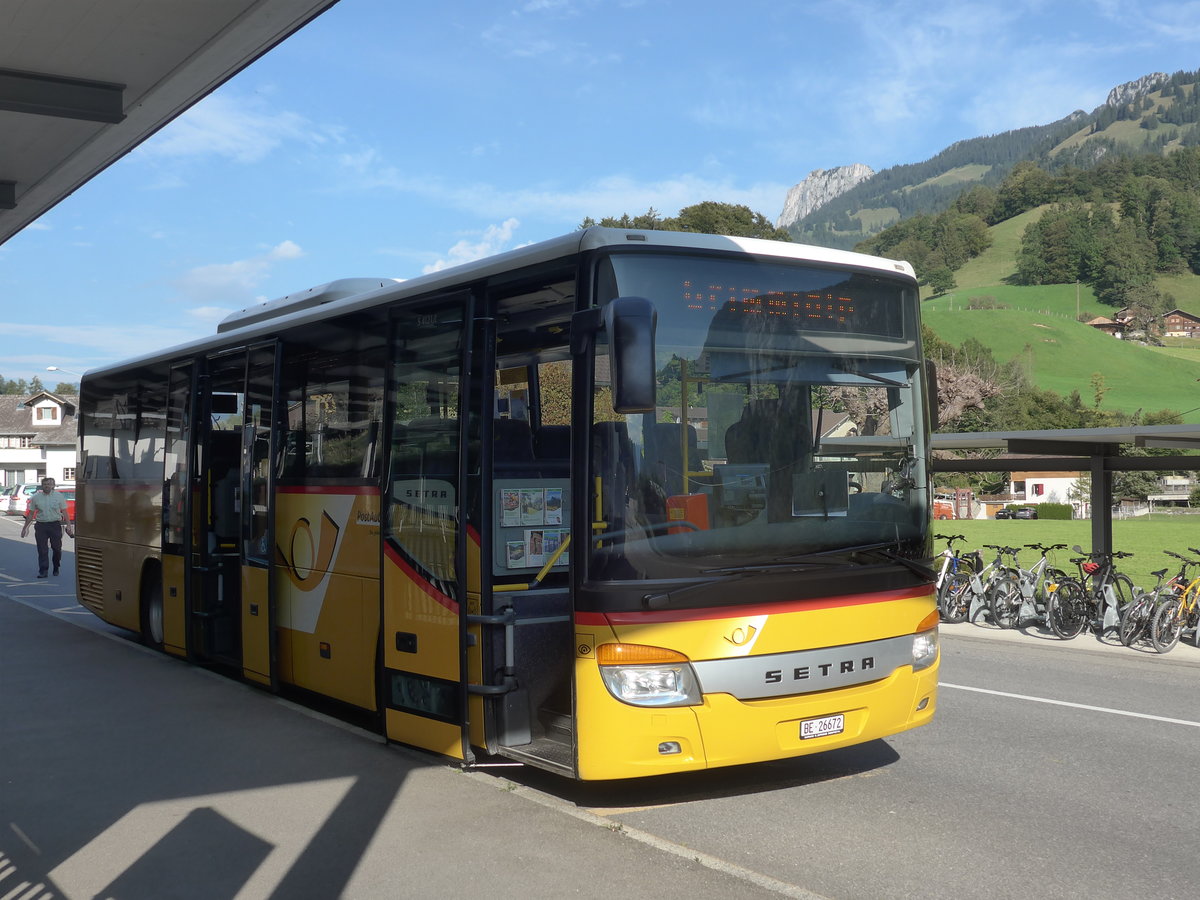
[(38, 439)]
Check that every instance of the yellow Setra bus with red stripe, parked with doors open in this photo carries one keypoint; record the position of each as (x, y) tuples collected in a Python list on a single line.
[(616, 505)]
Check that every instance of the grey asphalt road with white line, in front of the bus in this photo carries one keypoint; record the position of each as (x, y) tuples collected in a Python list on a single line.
[(1052, 771)]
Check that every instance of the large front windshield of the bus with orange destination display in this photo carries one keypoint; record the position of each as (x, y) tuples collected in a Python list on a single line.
[(790, 419)]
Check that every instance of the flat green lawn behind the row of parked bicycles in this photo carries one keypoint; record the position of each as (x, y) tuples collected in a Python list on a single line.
[(1145, 538)]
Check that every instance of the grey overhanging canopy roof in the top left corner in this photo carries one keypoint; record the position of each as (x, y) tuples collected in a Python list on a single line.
[(82, 83)]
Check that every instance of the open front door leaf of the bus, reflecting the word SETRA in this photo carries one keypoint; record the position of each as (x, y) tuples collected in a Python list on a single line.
[(424, 691)]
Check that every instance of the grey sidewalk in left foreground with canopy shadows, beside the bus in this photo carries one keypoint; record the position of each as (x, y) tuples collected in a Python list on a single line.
[(125, 773)]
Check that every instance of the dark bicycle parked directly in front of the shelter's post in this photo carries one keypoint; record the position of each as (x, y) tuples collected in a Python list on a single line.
[(1095, 601)]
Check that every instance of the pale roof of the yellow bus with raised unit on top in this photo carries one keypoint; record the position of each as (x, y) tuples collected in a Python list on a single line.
[(352, 295)]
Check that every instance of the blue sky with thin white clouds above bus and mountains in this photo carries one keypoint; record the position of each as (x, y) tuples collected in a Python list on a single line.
[(392, 140)]
